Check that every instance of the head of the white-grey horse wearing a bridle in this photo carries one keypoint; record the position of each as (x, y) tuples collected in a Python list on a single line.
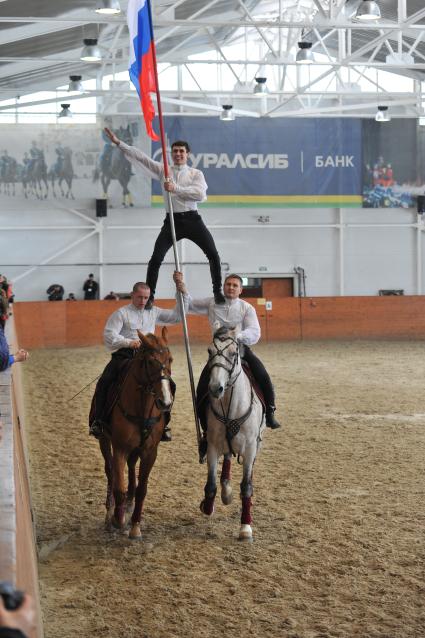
[(224, 361)]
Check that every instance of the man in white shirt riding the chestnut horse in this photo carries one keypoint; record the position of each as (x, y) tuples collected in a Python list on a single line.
[(121, 339)]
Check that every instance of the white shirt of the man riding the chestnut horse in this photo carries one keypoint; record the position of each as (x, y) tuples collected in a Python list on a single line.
[(121, 327)]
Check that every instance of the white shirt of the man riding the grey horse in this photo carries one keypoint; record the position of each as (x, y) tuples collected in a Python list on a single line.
[(235, 313)]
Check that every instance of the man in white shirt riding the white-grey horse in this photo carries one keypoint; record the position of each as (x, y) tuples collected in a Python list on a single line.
[(239, 314)]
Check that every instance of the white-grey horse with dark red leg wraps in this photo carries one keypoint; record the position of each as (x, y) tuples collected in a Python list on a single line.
[(235, 425)]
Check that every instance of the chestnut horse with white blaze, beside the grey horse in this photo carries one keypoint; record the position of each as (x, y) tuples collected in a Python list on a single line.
[(137, 424)]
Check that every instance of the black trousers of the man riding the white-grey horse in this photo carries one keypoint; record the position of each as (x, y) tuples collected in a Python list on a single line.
[(261, 376)]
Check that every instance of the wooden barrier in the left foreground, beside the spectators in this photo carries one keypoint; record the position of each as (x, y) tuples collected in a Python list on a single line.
[(18, 560)]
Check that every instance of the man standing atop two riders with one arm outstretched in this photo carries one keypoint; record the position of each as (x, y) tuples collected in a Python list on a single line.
[(187, 187)]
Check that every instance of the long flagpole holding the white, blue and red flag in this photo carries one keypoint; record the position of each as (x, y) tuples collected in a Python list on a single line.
[(173, 230)]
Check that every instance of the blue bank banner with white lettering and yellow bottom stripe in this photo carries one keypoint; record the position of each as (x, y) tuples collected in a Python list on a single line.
[(273, 161)]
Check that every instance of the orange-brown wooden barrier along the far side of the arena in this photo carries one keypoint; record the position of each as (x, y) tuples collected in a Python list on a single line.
[(46, 324)]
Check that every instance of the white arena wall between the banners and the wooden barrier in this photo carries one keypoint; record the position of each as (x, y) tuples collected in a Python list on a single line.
[(342, 251)]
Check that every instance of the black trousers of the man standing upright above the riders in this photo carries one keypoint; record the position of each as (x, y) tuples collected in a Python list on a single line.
[(188, 225)]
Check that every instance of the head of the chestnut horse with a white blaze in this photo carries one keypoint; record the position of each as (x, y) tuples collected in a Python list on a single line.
[(155, 360)]
